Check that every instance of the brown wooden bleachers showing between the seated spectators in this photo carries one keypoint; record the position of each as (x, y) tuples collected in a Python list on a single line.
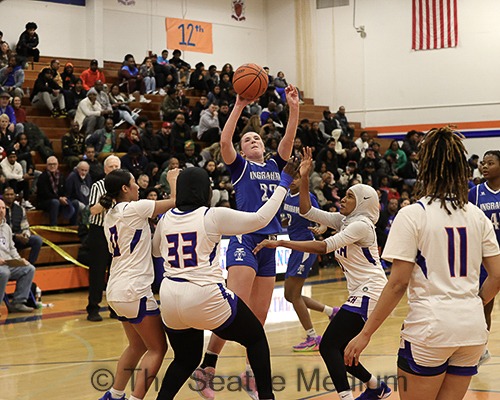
[(53, 272)]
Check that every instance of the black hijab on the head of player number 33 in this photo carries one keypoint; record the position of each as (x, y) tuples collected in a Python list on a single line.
[(193, 189)]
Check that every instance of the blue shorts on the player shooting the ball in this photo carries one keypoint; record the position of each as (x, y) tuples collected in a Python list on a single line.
[(239, 252)]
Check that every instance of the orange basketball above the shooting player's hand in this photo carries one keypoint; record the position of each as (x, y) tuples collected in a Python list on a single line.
[(250, 81)]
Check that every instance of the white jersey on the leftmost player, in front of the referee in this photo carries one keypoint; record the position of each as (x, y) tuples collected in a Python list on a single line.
[(127, 230)]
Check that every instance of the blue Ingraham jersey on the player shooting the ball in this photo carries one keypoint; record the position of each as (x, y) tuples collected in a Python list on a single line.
[(254, 184)]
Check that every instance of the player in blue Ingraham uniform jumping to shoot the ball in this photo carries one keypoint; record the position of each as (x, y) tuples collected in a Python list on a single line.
[(254, 179)]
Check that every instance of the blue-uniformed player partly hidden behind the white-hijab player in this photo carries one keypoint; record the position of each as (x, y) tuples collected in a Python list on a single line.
[(299, 265)]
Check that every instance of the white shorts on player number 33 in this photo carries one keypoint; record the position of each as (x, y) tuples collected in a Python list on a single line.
[(185, 305)]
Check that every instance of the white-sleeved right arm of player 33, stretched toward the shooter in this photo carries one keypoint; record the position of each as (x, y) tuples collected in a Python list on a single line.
[(221, 220)]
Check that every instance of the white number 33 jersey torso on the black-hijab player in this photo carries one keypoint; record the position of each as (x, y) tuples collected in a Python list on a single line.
[(189, 254)]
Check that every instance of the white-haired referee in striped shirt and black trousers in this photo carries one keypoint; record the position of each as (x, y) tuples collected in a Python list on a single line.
[(96, 242)]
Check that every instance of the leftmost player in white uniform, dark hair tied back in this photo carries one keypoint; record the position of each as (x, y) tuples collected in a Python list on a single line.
[(131, 274)]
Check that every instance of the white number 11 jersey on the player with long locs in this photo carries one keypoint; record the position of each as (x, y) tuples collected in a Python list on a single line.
[(444, 307)]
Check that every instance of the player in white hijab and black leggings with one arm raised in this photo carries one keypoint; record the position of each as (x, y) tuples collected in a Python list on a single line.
[(356, 251)]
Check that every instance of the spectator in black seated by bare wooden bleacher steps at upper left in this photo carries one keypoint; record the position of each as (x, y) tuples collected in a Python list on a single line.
[(48, 93)]
